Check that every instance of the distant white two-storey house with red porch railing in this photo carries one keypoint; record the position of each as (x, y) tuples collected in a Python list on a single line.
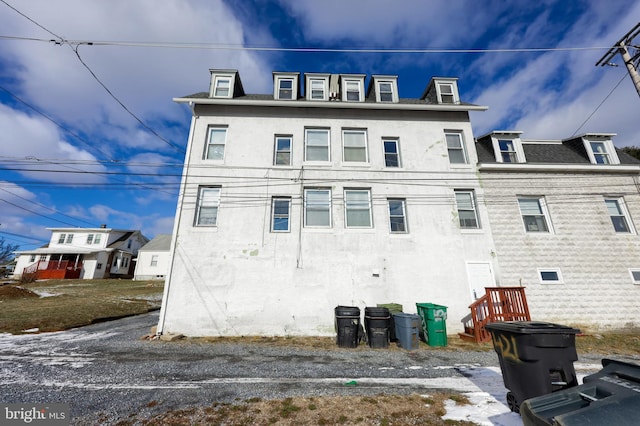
[(85, 253)]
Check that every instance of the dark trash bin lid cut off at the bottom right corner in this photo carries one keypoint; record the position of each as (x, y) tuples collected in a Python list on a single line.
[(609, 397)]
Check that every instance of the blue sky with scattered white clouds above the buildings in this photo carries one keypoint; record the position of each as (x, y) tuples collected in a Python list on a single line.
[(90, 134)]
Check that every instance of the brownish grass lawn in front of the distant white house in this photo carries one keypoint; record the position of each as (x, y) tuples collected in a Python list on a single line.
[(55, 305)]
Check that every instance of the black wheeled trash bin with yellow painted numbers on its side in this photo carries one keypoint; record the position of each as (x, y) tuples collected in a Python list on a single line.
[(536, 358)]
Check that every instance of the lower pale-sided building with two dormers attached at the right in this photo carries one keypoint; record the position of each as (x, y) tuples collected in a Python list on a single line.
[(564, 219)]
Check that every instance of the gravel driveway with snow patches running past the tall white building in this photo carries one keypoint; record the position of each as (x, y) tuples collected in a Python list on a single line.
[(107, 372)]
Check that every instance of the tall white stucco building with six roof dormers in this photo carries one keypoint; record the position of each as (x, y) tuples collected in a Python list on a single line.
[(343, 194)]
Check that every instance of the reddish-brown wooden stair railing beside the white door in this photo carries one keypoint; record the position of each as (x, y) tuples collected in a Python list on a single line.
[(498, 304)]
